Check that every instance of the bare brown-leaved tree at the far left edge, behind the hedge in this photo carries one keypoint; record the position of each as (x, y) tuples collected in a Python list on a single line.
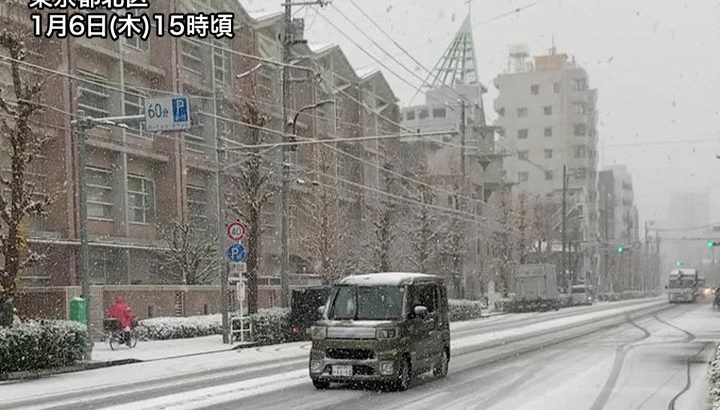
[(19, 196)]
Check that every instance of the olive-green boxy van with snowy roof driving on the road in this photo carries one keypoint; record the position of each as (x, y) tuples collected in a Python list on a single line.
[(384, 327)]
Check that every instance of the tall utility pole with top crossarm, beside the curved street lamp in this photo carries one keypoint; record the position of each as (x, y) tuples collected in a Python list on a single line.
[(288, 41)]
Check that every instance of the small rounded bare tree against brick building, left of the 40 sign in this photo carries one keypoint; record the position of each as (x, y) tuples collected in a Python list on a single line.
[(190, 257)]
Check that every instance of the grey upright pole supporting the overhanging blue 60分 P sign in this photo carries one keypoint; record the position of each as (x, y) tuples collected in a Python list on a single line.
[(81, 134)]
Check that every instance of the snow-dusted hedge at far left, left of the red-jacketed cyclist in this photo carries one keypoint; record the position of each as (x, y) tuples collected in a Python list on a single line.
[(33, 346)]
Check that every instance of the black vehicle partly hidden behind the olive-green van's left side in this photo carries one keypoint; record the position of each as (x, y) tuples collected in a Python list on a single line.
[(304, 304)]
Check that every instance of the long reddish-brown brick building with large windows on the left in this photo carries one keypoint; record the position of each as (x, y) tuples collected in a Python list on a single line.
[(139, 181)]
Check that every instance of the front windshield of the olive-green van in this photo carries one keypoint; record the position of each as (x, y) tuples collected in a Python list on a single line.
[(366, 303)]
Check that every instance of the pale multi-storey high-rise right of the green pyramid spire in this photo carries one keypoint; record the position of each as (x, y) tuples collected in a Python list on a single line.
[(547, 111)]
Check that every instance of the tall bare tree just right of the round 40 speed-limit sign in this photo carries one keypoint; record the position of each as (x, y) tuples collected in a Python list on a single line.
[(252, 190)]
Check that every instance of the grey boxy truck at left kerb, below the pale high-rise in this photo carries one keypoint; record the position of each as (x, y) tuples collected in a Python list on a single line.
[(535, 289)]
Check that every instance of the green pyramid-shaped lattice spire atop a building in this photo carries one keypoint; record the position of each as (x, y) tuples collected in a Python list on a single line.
[(458, 64)]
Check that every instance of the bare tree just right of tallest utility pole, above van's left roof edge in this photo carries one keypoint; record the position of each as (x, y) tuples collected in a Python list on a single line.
[(326, 234)]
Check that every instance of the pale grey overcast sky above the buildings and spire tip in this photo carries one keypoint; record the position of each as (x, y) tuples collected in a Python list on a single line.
[(656, 64)]
